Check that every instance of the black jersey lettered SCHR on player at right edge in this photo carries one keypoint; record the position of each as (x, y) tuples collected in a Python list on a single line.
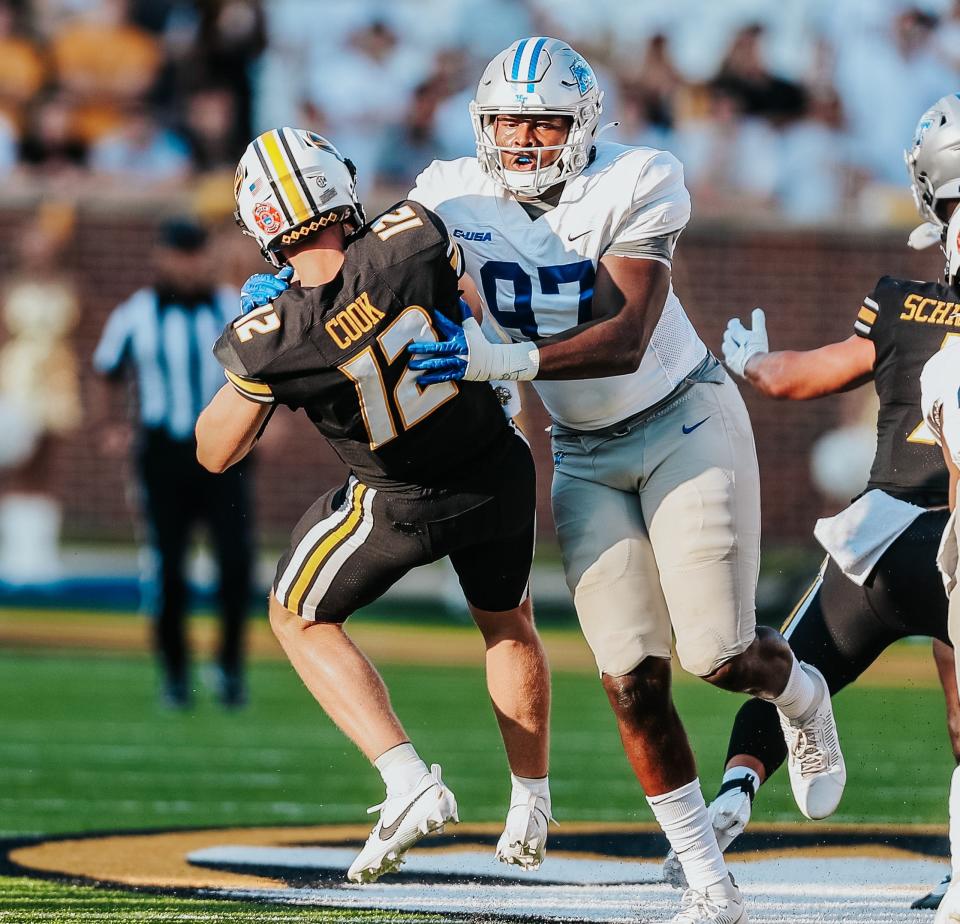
[(908, 321)]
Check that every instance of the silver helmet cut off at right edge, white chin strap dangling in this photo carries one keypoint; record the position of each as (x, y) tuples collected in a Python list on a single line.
[(933, 160)]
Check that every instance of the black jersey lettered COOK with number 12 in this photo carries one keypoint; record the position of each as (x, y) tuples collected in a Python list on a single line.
[(339, 352)]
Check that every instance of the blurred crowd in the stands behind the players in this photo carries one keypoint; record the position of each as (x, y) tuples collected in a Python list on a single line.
[(798, 110)]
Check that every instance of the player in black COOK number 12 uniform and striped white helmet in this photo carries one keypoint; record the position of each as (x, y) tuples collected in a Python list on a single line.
[(434, 471)]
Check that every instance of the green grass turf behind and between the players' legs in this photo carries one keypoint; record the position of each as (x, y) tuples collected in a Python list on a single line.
[(85, 747)]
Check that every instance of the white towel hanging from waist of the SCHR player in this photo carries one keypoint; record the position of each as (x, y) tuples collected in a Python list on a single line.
[(857, 537)]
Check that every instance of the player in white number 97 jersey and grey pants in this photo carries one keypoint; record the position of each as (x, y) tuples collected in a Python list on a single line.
[(655, 495)]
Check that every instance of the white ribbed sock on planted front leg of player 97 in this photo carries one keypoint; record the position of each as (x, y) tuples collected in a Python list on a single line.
[(682, 815)]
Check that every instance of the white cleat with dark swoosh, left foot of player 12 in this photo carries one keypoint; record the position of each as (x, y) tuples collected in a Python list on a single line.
[(404, 820)]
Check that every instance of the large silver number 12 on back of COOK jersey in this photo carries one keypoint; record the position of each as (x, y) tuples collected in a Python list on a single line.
[(411, 403)]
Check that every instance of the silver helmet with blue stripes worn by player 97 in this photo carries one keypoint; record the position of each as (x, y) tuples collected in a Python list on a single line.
[(537, 76)]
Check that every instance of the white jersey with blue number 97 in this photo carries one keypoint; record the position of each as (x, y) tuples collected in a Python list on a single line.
[(537, 276)]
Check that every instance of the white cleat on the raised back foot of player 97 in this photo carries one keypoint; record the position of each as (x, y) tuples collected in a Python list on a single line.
[(814, 759)]
